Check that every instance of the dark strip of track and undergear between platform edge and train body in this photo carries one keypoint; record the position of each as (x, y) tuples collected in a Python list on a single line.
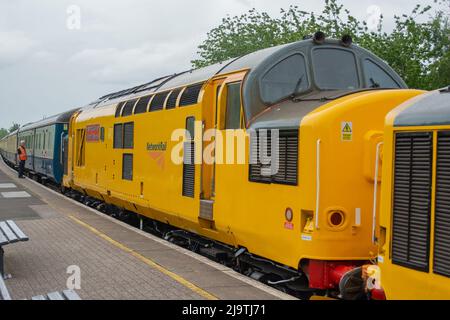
[(279, 277)]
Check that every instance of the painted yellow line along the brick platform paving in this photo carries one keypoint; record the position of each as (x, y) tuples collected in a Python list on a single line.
[(148, 261)]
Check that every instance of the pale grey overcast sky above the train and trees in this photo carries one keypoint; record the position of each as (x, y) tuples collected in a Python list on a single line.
[(48, 65)]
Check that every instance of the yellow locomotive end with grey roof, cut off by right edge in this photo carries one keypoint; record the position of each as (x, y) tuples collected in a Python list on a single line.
[(414, 256)]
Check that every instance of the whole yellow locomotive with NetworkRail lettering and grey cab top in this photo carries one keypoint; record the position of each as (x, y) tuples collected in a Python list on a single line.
[(307, 226)]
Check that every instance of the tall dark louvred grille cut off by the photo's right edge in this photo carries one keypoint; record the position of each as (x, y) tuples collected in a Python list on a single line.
[(442, 212)]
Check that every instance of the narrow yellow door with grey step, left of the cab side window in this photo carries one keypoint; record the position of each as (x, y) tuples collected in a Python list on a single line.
[(210, 114)]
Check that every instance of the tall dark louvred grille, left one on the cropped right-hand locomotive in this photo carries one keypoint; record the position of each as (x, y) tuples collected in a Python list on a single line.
[(412, 199)]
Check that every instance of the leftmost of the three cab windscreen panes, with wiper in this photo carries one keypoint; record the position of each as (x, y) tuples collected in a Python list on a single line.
[(284, 79)]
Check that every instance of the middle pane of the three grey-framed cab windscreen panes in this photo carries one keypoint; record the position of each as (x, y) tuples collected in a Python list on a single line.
[(335, 69)]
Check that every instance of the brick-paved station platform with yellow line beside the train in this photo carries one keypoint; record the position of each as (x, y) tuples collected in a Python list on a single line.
[(116, 261)]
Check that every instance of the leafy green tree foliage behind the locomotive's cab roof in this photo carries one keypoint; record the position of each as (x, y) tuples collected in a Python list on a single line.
[(419, 52)]
